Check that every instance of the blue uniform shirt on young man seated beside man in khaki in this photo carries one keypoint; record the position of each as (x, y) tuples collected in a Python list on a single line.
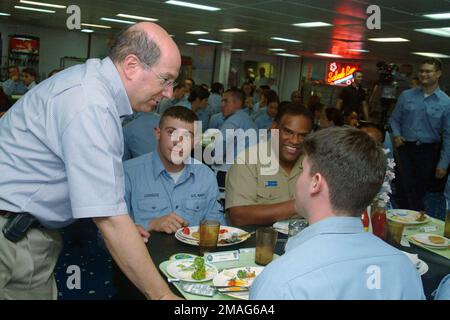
[(151, 192)]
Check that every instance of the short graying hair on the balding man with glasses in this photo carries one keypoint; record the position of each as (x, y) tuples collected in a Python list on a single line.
[(135, 42)]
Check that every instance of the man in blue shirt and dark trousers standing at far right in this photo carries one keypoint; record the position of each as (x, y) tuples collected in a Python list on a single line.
[(420, 122)]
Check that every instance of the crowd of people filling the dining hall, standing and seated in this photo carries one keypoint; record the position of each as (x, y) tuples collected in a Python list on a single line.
[(113, 140)]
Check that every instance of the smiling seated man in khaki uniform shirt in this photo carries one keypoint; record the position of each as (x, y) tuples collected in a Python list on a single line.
[(257, 193)]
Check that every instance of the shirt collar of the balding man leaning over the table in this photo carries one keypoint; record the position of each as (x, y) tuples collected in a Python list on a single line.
[(114, 83)]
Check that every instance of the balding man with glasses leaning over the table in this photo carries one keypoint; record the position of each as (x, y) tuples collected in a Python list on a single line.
[(61, 151)]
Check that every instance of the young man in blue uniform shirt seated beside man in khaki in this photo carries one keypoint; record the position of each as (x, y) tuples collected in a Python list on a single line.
[(163, 194)]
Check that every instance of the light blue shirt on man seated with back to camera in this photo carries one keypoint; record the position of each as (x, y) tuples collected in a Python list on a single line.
[(336, 259)]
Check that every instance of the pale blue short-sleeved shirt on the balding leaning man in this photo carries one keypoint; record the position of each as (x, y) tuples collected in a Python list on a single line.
[(61, 147)]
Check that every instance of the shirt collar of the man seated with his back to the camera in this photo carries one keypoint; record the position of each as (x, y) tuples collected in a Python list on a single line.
[(332, 225)]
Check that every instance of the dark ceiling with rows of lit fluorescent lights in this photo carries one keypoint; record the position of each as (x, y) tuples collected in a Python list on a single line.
[(268, 18)]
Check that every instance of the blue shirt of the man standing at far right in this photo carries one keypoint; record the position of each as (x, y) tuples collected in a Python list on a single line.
[(417, 118)]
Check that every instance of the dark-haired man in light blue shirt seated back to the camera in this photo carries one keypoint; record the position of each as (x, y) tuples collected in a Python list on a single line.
[(334, 258)]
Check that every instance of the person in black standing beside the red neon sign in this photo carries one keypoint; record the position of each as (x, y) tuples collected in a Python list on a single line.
[(353, 98)]
